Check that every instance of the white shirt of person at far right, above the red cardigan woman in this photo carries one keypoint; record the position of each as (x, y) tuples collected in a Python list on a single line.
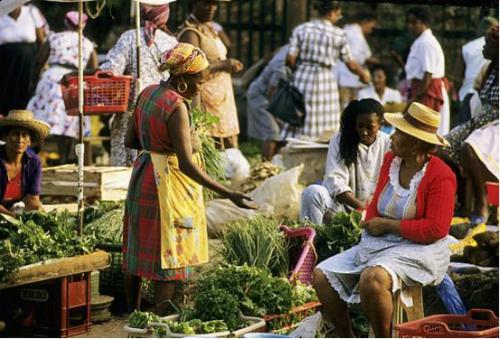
[(474, 60)]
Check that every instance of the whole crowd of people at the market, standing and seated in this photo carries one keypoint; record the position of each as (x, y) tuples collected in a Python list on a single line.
[(401, 168)]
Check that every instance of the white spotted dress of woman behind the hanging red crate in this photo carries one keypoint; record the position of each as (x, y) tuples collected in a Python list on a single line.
[(47, 104)]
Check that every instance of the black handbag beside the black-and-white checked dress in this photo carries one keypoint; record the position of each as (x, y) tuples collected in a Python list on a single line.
[(287, 104)]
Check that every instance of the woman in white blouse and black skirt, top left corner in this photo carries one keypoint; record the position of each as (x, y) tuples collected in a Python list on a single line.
[(21, 32)]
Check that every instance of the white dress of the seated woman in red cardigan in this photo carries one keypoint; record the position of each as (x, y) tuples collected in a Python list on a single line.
[(403, 259)]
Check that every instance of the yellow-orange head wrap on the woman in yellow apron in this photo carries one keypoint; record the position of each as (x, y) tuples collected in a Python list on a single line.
[(184, 58)]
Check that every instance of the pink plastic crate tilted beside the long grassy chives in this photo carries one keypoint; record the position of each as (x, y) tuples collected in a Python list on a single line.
[(303, 255)]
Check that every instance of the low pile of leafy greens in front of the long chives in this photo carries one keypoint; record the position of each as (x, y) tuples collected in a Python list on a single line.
[(231, 290)]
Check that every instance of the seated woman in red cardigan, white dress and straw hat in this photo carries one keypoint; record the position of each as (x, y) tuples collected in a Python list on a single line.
[(406, 224)]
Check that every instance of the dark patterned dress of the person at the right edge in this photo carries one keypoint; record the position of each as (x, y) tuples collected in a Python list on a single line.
[(489, 98)]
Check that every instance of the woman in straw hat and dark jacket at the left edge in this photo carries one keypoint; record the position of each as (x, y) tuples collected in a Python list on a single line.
[(20, 167)]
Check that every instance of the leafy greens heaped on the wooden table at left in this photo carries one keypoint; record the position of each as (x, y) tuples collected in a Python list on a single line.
[(36, 236)]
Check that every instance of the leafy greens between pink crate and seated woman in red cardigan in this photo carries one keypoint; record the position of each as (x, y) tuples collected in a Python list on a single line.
[(341, 233)]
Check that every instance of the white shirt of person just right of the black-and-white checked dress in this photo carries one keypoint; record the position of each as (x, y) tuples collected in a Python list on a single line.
[(360, 51)]
